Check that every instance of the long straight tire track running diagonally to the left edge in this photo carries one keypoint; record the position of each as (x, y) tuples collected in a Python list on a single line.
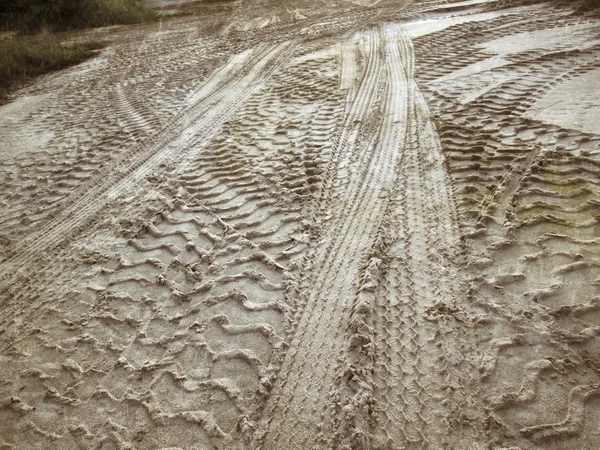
[(202, 119)]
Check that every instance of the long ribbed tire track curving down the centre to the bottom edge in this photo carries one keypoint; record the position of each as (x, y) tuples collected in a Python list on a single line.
[(310, 369)]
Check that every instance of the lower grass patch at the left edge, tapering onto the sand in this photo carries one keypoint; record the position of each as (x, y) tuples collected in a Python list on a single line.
[(25, 57)]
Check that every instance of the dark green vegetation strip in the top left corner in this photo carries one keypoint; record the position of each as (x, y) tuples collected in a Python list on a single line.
[(32, 16)]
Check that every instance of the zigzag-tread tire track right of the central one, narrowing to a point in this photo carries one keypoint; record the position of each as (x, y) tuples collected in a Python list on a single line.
[(421, 276)]
